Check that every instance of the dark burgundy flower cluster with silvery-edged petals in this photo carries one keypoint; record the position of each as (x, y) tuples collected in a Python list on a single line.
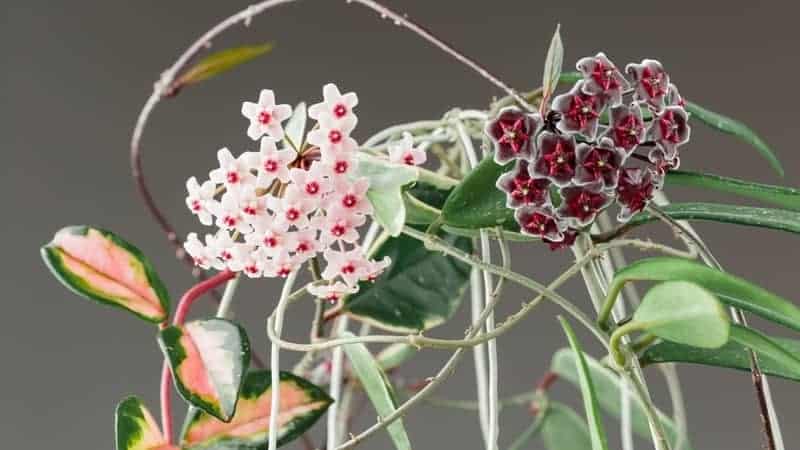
[(583, 161)]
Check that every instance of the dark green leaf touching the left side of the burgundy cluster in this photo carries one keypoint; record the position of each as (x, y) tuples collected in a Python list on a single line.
[(476, 202)]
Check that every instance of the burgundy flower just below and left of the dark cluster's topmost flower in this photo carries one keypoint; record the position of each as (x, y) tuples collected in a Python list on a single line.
[(579, 111)]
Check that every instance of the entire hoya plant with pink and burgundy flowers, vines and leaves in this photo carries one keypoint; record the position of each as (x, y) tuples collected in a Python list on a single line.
[(394, 231)]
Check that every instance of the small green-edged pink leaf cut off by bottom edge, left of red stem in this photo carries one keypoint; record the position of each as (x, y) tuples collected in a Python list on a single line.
[(136, 429)]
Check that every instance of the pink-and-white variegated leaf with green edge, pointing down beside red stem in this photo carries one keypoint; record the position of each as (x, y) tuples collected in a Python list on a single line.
[(208, 359)]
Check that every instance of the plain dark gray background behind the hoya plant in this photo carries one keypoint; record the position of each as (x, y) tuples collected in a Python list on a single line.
[(76, 73)]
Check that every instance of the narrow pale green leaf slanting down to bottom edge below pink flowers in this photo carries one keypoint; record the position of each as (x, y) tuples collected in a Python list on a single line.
[(378, 389)]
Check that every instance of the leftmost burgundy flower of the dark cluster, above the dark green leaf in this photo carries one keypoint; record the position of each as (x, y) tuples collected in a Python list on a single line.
[(513, 134)]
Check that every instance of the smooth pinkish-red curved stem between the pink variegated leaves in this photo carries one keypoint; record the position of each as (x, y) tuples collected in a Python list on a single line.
[(184, 305)]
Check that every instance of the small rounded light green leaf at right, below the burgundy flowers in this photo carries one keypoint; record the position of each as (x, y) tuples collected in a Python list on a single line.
[(684, 312)]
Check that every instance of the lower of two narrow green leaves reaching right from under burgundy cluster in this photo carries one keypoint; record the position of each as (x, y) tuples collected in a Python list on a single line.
[(776, 219)]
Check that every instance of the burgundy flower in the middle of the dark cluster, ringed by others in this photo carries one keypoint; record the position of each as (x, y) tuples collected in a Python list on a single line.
[(598, 165)]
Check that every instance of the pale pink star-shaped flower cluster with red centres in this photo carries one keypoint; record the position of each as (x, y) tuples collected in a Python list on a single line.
[(290, 201)]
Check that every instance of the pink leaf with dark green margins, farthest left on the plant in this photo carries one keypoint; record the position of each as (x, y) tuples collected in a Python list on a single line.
[(101, 266)]
